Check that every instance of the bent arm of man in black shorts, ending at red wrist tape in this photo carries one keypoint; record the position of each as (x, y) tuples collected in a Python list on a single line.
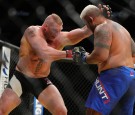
[(40, 46)]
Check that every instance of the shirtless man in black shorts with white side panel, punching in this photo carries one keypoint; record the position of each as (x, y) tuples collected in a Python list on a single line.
[(40, 46)]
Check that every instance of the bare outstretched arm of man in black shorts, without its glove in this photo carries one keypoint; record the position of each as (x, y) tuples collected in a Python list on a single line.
[(76, 35)]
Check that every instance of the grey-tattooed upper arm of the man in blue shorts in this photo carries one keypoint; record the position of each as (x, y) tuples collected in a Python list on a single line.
[(102, 39)]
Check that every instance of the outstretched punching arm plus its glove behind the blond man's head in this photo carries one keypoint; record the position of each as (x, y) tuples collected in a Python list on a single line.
[(77, 35)]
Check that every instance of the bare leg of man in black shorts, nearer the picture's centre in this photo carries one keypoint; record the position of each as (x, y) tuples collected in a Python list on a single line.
[(52, 100)]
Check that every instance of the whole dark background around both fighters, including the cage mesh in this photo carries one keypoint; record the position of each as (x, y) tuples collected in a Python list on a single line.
[(73, 81)]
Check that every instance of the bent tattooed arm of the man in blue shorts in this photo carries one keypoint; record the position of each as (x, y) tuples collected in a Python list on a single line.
[(102, 43)]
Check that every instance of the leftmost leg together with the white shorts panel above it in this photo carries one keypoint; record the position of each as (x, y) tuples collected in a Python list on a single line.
[(10, 98)]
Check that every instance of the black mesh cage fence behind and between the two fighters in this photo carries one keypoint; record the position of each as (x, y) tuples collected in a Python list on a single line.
[(73, 81)]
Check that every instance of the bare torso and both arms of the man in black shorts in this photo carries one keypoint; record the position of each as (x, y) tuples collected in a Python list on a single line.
[(35, 57)]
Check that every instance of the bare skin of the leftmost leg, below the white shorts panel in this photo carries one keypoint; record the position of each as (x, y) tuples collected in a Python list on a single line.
[(8, 101)]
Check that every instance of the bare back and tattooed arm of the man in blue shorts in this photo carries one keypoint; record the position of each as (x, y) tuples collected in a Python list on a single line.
[(110, 50)]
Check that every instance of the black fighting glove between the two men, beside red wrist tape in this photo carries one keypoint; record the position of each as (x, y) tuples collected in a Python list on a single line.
[(79, 55)]
